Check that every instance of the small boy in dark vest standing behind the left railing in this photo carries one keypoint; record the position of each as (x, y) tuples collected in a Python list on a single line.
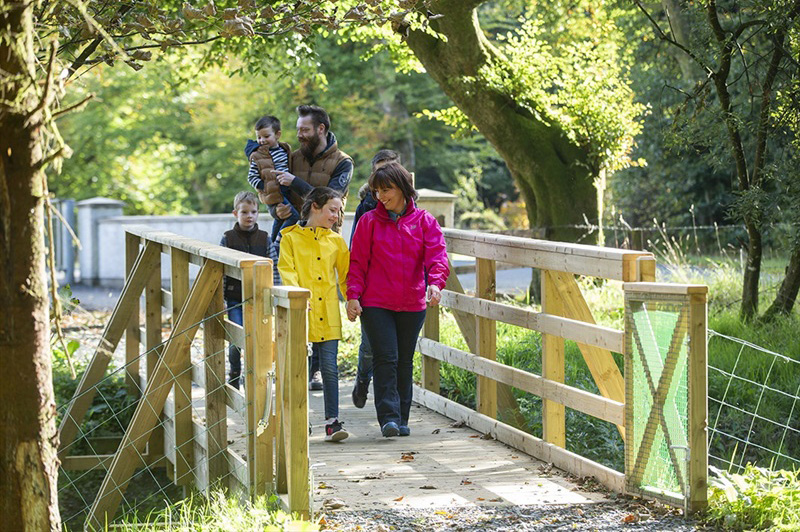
[(245, 236)]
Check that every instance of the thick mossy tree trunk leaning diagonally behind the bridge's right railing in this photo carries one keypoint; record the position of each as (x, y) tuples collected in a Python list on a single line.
[(554, 174)]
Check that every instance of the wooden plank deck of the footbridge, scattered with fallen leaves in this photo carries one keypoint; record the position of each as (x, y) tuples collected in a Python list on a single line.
[(367, 471)]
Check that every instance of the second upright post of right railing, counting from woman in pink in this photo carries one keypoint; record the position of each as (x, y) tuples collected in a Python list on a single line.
[(485, 275)]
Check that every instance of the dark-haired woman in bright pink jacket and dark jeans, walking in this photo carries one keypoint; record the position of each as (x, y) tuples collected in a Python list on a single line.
[(398, 265)]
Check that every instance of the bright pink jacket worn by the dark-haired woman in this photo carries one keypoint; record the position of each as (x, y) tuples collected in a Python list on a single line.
[(391, 262)]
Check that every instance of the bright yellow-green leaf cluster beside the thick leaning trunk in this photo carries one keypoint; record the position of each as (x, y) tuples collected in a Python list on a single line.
[(570, 69)]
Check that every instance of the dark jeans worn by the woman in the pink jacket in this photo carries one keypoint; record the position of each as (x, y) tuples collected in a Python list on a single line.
[(393, 339)]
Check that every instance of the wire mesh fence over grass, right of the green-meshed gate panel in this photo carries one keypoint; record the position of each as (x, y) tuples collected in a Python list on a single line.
[(754, 406)]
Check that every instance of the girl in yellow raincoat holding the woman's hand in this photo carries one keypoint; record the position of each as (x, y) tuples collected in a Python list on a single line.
[(313, 256)]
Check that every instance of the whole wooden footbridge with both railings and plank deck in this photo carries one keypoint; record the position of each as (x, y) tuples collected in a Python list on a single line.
[(205, 433)]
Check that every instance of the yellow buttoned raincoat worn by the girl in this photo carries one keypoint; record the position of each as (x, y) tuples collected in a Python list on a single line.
[(313, 258)]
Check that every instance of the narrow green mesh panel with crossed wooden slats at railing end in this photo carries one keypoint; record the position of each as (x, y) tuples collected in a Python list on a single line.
[(656, 395)]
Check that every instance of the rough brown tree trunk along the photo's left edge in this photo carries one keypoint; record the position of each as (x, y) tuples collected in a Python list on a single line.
[(29, 467)]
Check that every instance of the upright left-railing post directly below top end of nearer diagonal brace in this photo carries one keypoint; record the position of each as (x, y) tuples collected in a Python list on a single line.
[(216, 409)]
